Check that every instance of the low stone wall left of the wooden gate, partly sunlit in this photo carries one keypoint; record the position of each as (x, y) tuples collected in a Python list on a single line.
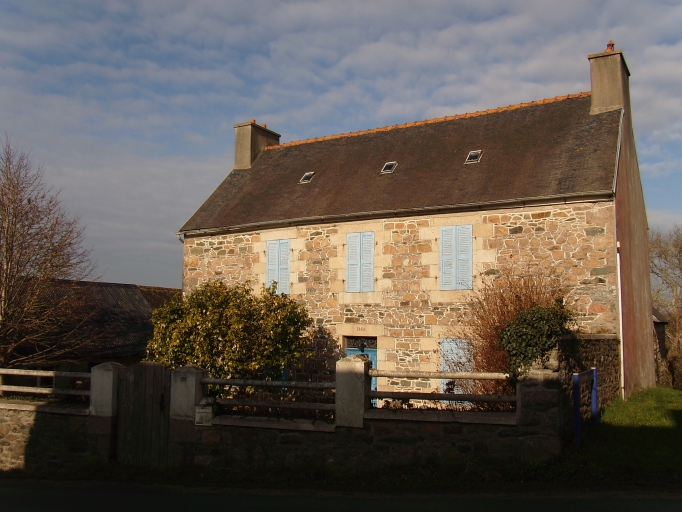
[(55, 442)]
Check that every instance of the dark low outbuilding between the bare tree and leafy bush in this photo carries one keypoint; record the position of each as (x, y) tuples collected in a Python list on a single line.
[(121, 325)]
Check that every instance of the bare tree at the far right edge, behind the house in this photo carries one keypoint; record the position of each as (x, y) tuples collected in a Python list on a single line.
[(665, 254)]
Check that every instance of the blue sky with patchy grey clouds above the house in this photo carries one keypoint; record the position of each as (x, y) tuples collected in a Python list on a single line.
[(130, 105)]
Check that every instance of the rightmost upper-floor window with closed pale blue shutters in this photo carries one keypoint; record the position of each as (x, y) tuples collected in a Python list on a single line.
[(456, 257)]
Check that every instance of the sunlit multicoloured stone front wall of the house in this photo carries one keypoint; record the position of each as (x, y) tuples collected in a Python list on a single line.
[(407, 312)]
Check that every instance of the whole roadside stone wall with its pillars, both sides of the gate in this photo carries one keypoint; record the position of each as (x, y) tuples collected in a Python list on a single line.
[(57, 438)]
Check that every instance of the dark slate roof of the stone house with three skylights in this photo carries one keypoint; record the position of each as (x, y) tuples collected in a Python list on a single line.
[(546, 149)]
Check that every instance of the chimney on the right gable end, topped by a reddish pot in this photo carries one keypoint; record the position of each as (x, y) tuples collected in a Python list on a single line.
[(610, 79)]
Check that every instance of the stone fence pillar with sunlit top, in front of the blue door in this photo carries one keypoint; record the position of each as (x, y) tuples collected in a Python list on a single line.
[(352, 385)]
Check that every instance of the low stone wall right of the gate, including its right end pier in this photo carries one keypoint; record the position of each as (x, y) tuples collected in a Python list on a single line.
[(531, 433)]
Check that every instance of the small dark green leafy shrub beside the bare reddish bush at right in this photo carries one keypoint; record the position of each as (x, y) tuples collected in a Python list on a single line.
[(532, 334)]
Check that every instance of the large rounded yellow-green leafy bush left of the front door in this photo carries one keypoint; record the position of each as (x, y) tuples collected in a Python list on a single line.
[(230, 331)]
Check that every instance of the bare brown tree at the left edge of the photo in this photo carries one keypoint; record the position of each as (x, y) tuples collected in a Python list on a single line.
[(42, 261)]
